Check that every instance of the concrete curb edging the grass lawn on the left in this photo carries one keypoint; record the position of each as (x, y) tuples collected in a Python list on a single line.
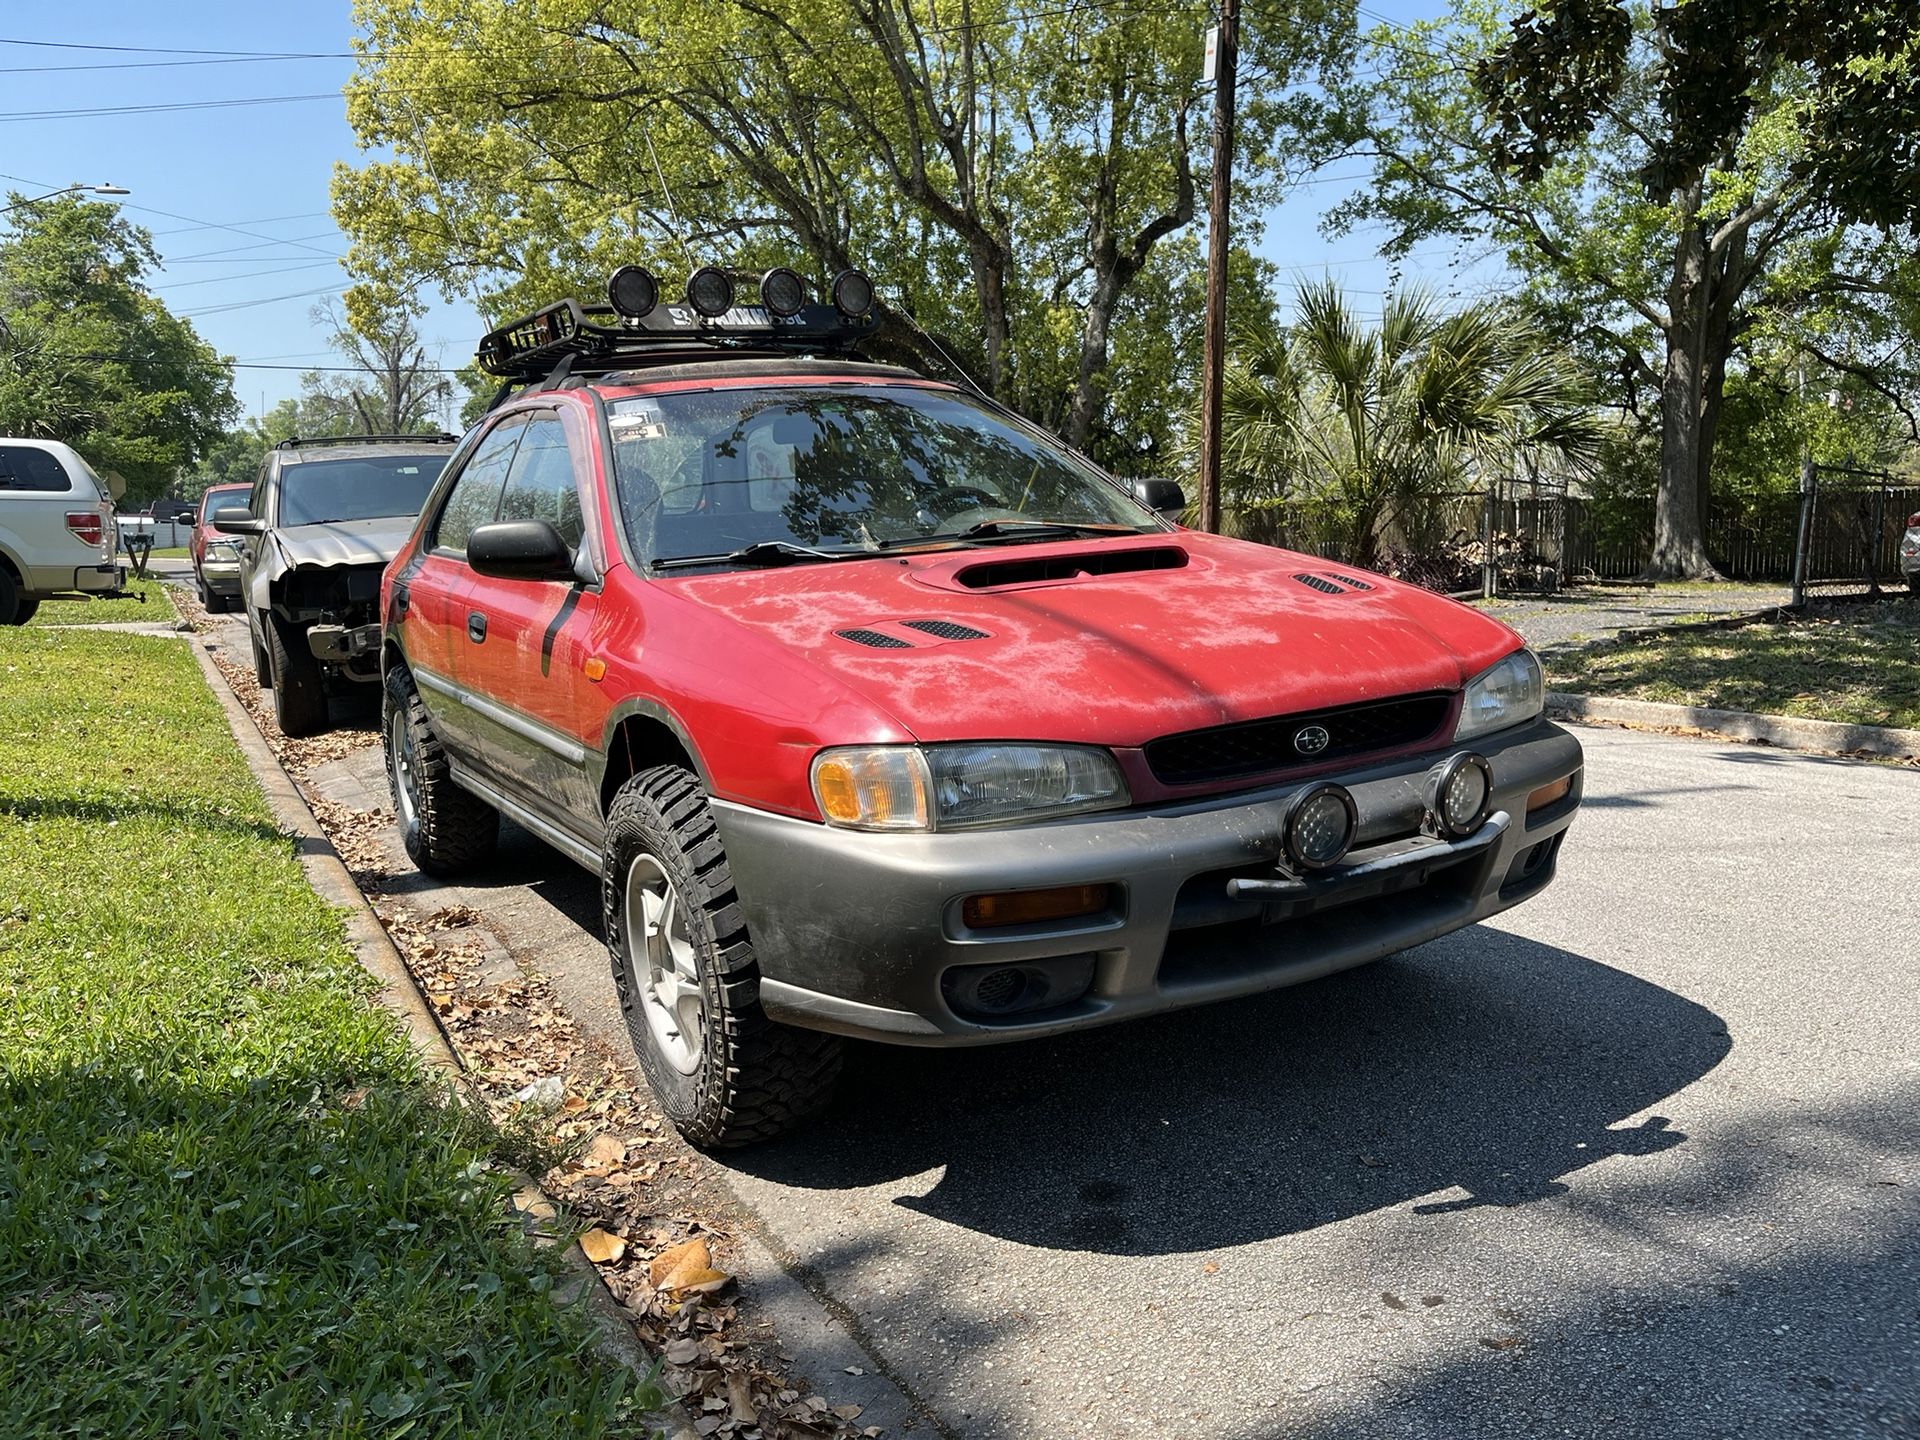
[(333, 882)]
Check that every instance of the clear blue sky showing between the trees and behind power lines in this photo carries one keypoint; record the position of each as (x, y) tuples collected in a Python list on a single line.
[(237, 195)]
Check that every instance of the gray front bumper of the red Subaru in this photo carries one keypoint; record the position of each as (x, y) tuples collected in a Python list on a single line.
[(853, 932)]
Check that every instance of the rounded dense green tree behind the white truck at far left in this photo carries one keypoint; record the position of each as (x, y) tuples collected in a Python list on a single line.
[(87, 356)]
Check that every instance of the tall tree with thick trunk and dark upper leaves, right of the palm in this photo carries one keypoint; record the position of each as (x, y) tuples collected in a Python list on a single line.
[(1669, 235)]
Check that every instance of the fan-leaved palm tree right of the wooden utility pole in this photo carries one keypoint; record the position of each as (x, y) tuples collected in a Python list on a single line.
[(1355, 425)]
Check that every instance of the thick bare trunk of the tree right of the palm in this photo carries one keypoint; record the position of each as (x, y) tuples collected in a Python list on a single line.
[(1679, 525)]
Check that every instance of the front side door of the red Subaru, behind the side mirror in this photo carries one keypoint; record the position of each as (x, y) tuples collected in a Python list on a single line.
[(521, 656)]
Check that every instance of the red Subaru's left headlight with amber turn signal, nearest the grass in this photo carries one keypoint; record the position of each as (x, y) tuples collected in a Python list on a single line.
[(959, 786)]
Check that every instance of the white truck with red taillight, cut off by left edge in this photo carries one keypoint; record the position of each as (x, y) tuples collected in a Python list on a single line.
[(57, 529)]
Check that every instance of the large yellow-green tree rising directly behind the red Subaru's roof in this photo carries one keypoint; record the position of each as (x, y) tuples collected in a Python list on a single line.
[(1011, 181)]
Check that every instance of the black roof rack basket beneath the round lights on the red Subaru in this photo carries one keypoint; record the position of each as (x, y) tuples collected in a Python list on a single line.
[(571, 339)]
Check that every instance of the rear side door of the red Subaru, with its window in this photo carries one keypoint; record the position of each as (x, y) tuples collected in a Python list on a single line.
[(439, 583)]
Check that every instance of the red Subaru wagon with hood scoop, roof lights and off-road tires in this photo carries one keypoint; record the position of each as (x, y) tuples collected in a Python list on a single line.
[(882, 713)]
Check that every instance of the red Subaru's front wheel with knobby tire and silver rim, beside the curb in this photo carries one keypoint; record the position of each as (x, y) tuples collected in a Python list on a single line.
[(688, 978)]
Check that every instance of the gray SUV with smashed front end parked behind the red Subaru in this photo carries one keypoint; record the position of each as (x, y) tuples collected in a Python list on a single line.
[(320, 527)]
